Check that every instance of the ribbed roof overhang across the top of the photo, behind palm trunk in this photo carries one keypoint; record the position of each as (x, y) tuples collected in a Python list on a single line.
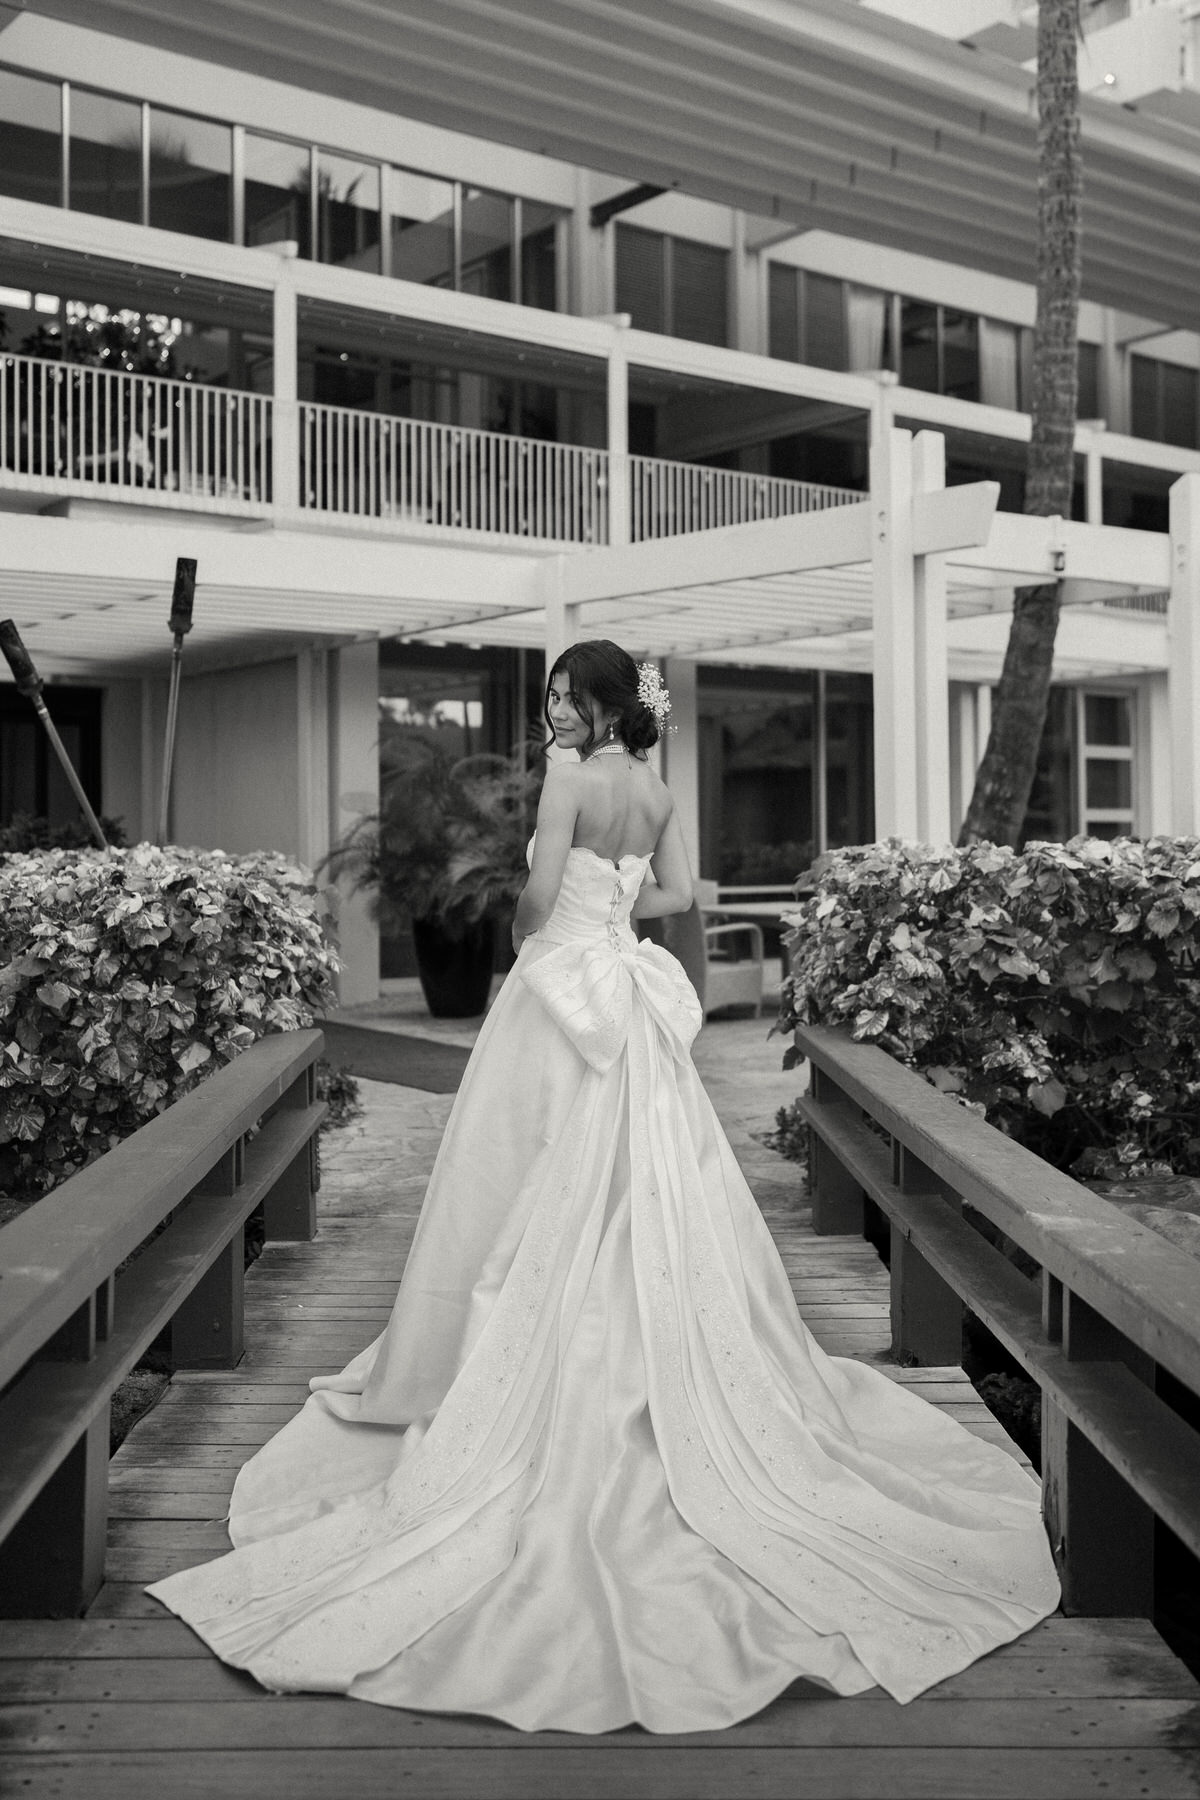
[(810, 112)]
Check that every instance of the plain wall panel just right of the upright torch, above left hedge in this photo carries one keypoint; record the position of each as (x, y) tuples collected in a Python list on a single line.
[(237, 760)]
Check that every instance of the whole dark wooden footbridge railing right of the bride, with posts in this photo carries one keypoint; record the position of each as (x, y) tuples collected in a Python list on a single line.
[(1109, 1329)]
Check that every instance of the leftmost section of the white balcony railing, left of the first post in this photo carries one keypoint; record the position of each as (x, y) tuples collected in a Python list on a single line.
[(71, 429)]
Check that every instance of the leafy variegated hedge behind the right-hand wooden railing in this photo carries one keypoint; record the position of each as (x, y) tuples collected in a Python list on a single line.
[(1055, 991)]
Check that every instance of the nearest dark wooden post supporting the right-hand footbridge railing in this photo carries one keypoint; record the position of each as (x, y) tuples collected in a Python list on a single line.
[(1102, 1534)]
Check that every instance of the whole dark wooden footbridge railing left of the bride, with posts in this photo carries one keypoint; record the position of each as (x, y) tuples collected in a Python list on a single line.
[(148, 1236)]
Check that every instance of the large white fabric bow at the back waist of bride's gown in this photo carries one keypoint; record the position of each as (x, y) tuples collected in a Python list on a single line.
[(589, 993)]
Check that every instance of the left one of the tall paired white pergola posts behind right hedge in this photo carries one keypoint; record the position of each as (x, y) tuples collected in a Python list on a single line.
[(897, 777)]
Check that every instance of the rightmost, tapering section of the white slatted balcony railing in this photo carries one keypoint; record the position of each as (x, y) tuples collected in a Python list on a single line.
[(670, 498)]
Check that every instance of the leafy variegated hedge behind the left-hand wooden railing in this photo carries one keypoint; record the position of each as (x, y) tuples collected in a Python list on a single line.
[(127, 978)]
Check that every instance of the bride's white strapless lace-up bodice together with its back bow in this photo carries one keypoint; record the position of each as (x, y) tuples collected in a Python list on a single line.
[(591, 973)]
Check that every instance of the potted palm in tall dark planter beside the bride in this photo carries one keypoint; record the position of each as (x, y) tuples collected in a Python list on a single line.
[(443, 856)]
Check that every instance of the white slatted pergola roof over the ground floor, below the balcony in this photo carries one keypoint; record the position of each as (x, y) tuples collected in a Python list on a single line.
[(91, 595)]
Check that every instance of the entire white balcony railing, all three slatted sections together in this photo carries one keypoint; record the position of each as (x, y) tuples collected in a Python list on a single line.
[(76, 431)]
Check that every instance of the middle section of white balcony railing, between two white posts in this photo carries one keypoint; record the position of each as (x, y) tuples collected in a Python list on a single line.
[(368, 465)]
